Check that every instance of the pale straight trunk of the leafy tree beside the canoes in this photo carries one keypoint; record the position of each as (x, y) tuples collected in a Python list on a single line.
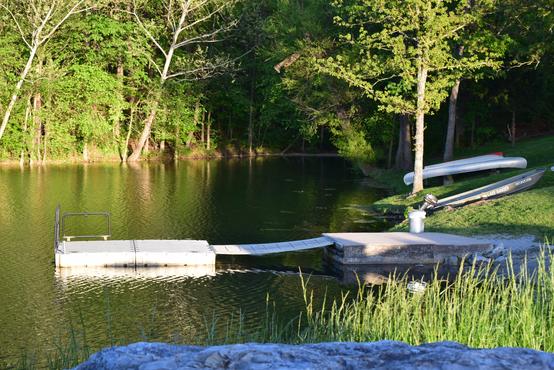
[(420, 128)]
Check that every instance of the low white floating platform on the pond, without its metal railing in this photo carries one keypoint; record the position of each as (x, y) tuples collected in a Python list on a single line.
[(134, 253)]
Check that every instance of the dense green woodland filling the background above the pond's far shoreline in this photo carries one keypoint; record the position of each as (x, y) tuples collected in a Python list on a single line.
[(132, 79)]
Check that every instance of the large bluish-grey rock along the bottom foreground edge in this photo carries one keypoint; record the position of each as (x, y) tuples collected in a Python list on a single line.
[(376, 355)]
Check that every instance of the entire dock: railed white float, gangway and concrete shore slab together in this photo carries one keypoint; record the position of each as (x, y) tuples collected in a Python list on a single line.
[(399, 248)]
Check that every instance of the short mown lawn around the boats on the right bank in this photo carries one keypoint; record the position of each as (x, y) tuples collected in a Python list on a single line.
[(530, 212)]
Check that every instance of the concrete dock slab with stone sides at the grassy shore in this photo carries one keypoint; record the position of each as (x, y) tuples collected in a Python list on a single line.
[(400, 248)]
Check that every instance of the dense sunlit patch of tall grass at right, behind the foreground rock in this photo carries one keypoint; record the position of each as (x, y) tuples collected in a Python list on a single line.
[(478, 307)]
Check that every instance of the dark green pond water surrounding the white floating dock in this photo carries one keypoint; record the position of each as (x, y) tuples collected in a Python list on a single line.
[(236, 201)]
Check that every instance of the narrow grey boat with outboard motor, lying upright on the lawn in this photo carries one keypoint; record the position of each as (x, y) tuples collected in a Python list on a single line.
[(498, 189)]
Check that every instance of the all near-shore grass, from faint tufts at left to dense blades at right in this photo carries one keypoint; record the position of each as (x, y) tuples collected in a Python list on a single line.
[(476, 307)]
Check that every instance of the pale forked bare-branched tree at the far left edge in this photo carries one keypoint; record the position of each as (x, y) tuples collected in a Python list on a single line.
[(36, 21)]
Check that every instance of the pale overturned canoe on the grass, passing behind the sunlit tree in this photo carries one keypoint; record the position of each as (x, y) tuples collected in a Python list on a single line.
[(474, 164)]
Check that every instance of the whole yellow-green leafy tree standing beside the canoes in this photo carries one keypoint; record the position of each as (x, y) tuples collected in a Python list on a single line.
[(400, 54)]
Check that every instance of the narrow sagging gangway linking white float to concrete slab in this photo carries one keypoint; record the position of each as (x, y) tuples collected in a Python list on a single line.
[(268, 248)]
